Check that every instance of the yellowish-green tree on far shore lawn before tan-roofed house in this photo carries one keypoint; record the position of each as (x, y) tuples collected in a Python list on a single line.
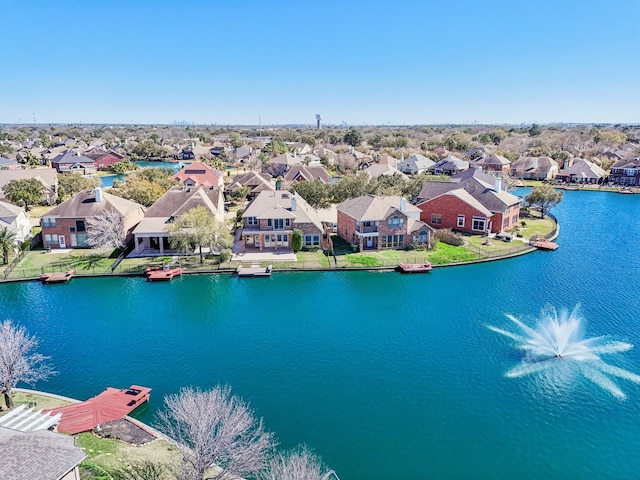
[(198, 228)]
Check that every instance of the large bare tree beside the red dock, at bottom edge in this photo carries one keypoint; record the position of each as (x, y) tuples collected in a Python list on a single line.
[(214, 429)]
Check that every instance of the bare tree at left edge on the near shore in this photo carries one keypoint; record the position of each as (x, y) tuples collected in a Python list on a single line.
[(18, 363)]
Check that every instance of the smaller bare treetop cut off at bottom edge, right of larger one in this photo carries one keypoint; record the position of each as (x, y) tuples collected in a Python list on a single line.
[(298, 464)]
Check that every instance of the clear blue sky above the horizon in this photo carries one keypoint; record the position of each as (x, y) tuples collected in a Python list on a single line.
[(239, 62)]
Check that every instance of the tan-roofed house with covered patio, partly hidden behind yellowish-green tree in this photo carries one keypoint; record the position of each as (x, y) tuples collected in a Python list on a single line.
[(151, 236)]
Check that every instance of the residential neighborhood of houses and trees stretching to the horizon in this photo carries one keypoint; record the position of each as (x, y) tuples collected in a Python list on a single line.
[(265, 187)]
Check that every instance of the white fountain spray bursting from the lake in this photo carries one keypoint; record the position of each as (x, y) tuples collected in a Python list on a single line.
[(556, 350)]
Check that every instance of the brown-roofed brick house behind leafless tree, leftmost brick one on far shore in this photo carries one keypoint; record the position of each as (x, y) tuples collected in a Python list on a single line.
[(65, 226)]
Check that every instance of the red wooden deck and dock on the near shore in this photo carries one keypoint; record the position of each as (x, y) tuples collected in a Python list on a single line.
[(112, 404)]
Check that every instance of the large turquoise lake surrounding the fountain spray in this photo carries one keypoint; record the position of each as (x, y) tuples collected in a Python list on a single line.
[(384, 375)]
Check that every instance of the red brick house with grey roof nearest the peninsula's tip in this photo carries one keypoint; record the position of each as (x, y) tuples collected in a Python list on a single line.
[(473, 202)]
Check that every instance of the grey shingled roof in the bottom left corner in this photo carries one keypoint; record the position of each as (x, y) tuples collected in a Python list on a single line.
[(39, 454)]
